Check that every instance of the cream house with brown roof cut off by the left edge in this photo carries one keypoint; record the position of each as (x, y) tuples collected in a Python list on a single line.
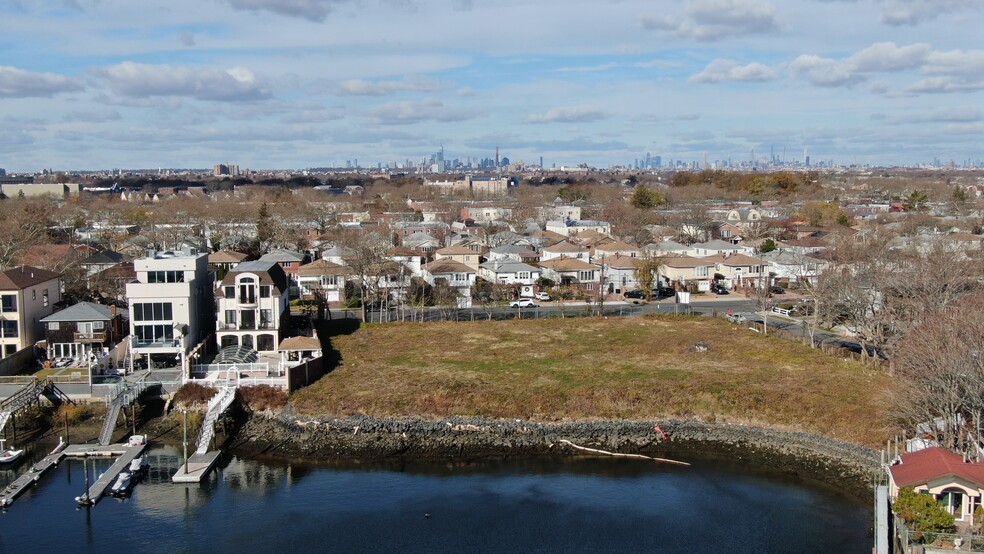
[(28, 295)]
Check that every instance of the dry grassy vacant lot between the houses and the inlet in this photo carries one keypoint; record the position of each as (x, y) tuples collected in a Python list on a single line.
[(588, 368)]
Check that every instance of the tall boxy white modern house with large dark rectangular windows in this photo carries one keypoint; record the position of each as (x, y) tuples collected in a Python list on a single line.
[(171, 306)]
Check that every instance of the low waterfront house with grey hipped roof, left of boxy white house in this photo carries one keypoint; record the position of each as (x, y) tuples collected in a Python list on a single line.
[(85, 332)]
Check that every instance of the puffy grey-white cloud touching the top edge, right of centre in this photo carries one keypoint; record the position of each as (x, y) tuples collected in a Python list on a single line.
[(710, 20)]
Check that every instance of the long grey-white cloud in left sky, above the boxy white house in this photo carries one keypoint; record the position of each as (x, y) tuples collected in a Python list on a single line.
[(142, 81)]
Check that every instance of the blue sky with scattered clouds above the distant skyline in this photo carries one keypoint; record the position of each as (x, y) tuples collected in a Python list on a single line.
[(102, 84)]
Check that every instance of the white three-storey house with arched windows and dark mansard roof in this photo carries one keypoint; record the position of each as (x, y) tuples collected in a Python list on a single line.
[(252, 306)]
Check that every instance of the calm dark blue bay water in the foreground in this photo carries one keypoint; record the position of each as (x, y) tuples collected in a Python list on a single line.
[(542, 505)]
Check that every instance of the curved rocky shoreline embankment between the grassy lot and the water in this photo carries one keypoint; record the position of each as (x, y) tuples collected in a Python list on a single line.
[(846, 466)]
